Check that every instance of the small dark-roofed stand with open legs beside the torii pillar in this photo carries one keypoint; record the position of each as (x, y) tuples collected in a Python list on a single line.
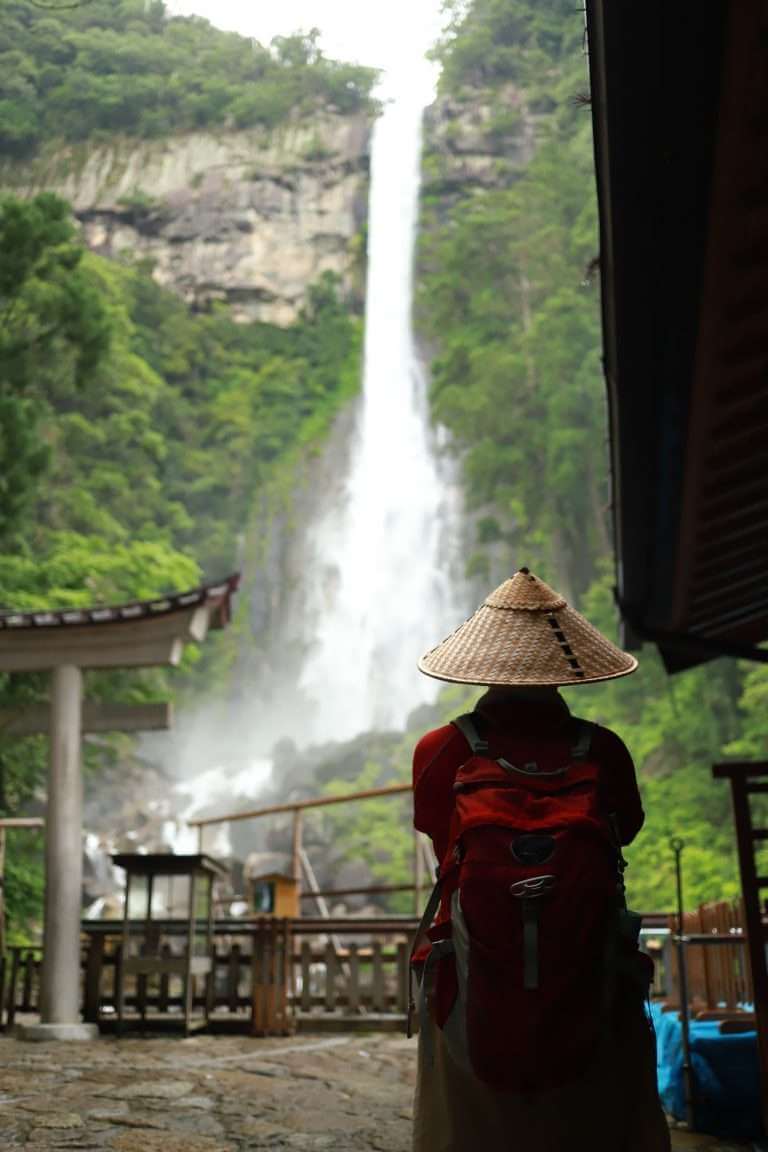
[(192, 877)]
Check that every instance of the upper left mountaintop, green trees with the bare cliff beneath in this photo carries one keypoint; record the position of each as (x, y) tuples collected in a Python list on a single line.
[(238, 172)]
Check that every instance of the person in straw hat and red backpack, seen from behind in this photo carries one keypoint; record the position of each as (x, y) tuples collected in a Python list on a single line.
[(534, 1030)]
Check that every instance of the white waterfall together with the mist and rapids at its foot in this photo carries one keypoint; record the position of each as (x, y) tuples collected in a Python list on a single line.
[(382, 556)]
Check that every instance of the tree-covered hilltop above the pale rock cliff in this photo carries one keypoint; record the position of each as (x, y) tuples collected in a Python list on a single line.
[(124, 67)]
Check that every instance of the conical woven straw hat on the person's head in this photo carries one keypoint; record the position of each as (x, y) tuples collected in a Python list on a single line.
[(526, 634)]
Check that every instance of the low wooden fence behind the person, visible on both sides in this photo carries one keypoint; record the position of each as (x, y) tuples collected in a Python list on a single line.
[(344, 973)]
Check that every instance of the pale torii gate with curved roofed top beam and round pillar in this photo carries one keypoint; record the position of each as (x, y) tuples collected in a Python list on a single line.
[(139, 635)]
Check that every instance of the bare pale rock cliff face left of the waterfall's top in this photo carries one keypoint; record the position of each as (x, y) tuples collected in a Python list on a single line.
[(240, 217)]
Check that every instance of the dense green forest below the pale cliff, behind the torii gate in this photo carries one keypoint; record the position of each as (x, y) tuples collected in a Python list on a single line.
[(150, 430)]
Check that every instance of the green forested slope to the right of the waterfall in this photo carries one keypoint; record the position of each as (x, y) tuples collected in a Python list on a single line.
[(510, 307)]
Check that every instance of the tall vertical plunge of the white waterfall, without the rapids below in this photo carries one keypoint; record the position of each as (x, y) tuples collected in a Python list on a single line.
[(381, 587)]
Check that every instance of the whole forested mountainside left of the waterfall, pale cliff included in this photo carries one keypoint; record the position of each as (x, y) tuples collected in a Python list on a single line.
[(140, 439)]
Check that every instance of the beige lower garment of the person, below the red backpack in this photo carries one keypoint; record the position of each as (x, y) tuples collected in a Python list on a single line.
[(613, 1108)]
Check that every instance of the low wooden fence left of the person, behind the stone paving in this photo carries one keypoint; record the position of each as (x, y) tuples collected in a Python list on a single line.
[(269, 976)]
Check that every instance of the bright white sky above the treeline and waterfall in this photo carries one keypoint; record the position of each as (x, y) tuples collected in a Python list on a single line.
[(393, 35)]
